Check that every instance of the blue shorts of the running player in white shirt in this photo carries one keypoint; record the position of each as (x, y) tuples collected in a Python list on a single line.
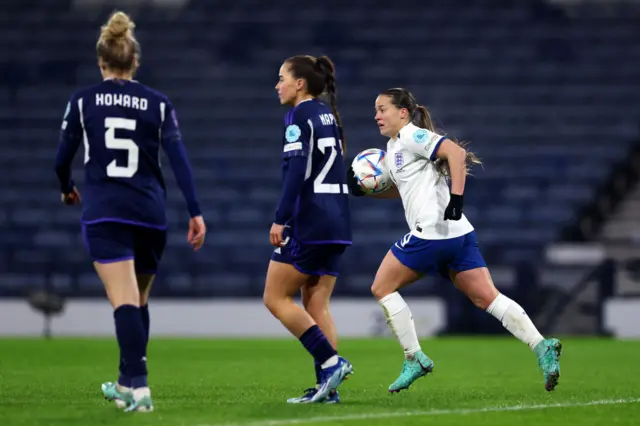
[(433, 257)]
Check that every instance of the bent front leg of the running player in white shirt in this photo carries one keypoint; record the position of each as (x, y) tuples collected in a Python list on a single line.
[(392, 275)]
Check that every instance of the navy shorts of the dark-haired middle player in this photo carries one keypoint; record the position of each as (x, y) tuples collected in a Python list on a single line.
[(316, 259)]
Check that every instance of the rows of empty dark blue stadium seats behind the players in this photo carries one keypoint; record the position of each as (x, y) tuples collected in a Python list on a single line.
[(548, 99)]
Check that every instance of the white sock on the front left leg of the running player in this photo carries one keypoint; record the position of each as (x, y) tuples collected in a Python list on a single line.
[(401, 323)]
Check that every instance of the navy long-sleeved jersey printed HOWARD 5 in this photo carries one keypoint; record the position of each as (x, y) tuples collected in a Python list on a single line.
[(122, 125)]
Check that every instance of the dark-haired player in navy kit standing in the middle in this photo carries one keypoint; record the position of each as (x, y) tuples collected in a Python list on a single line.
[(312, 226)]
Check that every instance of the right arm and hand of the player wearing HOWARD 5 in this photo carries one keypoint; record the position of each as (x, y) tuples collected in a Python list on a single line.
[(171, 140)]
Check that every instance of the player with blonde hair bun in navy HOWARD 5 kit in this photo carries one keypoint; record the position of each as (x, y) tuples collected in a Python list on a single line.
[(122, 125)]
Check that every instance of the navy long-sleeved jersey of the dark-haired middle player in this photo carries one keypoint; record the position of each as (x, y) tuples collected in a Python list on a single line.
[(321, 213)]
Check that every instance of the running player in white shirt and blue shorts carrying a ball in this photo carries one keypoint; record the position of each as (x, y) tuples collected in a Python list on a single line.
[(422, 163)]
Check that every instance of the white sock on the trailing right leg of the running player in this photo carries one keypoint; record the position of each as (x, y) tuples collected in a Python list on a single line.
[(516, 320)]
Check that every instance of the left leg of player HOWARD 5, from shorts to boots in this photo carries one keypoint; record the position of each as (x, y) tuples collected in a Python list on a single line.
[(111, 246)]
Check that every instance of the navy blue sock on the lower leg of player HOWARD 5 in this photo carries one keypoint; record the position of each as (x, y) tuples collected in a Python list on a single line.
[(132, 341)]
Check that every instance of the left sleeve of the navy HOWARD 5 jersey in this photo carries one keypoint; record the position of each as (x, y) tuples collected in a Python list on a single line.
[(70, 138)]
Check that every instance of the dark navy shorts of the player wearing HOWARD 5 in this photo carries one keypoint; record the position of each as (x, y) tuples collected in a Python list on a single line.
[(109, 242)]
